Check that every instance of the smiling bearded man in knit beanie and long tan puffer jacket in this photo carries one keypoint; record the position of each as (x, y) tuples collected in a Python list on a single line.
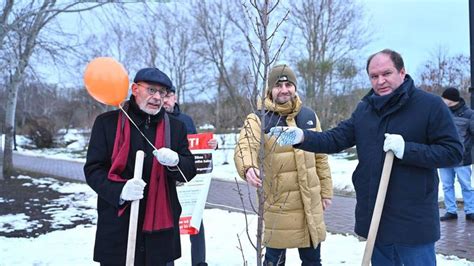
[(297, 185)]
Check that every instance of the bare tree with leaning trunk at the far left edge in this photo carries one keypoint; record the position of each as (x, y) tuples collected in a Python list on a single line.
[(27, 33)]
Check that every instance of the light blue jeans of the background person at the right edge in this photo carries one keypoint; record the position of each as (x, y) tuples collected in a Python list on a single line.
[(464, 178)]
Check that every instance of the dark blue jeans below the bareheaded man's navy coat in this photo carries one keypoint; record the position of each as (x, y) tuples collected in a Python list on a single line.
[(402, 254)]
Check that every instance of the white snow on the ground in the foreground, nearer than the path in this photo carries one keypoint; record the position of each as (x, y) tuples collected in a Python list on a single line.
[(223, 230)]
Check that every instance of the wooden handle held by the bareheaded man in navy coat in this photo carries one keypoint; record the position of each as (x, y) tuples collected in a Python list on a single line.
[(374, 223)]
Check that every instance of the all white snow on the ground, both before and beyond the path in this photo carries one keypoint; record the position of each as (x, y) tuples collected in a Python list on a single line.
[(74, 246)]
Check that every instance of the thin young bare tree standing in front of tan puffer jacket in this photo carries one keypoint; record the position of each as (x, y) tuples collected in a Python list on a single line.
[(259, 40)]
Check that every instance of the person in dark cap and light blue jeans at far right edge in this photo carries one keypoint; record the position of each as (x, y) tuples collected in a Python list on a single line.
[(464, 120)]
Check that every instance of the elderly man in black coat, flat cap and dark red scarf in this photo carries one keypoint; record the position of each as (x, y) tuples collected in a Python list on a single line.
[(109, 171)]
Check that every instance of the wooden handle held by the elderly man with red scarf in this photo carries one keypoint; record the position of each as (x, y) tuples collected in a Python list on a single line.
[(133, 223)]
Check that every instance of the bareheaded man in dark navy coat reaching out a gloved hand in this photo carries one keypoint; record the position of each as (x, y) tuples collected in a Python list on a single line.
[(418, 128)]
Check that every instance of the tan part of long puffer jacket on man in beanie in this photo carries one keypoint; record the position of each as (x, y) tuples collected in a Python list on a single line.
[(295, 181)]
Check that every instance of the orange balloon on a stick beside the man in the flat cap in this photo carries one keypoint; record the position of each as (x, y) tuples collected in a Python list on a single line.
[(106, 80)]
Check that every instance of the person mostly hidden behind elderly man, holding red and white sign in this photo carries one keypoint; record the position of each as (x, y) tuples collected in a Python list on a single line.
[(198, 241)]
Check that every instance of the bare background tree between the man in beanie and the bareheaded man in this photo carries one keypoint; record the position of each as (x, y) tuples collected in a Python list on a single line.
[(332, 31)]
